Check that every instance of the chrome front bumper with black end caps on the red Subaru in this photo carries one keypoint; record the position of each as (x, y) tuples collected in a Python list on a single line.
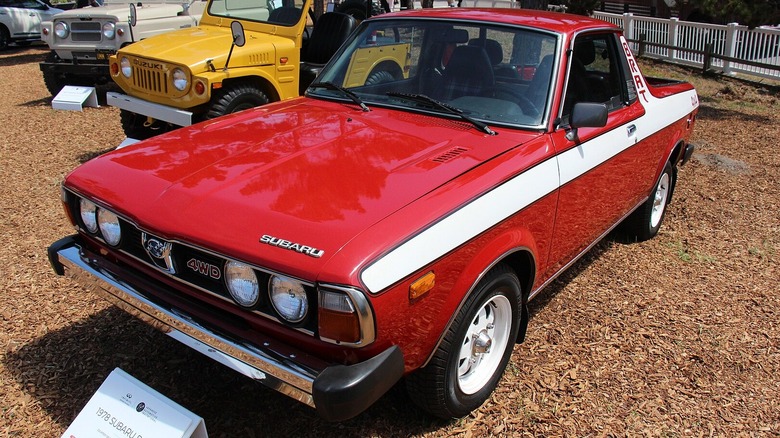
[(337, 392)]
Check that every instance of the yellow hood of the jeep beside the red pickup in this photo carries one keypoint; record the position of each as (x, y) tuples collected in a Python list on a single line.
[(186, 47)]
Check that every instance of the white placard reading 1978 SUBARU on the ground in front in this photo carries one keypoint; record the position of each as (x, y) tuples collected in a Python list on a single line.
[(124, 407)]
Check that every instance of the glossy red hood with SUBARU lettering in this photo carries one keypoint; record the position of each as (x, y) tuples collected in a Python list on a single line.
[(309, 172)]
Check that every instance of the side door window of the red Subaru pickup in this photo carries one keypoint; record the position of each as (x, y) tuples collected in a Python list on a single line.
[(595, 73)]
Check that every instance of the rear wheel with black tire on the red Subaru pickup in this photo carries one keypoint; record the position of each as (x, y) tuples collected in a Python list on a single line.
[(644, 223)]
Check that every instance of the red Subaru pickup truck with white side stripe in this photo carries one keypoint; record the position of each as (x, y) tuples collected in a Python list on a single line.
[(393, 227)]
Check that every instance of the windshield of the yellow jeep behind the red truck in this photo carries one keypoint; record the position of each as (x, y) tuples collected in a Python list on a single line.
[(279, 12)]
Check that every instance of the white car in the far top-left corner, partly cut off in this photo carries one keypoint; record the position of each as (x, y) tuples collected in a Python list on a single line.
[(20, 20)]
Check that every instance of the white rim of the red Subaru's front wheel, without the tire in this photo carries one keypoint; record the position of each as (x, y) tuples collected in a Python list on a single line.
[(484, 344)]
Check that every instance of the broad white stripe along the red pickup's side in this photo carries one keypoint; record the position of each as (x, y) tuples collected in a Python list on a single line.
[(518, 193)]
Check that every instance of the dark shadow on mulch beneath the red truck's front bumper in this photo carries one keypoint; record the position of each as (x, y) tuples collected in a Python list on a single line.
[(64, 368)]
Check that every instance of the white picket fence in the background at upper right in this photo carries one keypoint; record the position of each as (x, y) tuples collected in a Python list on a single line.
[(732, 48)]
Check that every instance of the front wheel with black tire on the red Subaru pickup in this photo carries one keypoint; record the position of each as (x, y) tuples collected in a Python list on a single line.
[(452, 385)]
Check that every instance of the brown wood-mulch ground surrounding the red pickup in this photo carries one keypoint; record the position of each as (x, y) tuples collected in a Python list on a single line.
[(678, 336)]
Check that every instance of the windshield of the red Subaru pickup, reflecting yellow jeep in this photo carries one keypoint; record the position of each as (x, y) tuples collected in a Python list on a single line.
[(497, 74)]
